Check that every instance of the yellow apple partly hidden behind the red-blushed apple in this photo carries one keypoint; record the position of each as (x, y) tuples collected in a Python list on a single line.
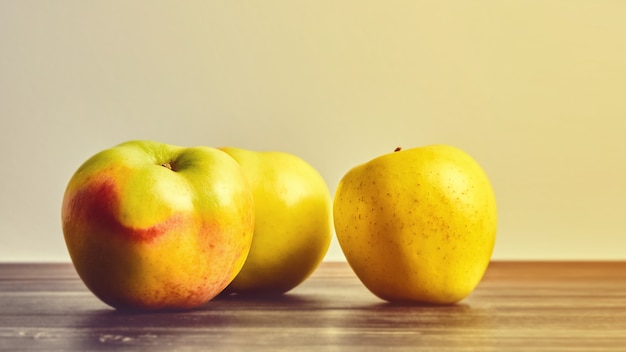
[(293, 225)]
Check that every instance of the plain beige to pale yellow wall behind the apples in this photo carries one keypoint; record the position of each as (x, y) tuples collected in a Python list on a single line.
[(534, 90)]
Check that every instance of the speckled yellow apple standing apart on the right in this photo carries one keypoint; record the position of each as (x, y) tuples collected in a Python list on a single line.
[(417, 225)]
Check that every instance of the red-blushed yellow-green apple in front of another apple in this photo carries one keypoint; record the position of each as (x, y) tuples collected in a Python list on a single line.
[(143, 236)]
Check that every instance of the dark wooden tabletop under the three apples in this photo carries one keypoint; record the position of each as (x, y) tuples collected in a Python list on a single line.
[(519, 306)]
